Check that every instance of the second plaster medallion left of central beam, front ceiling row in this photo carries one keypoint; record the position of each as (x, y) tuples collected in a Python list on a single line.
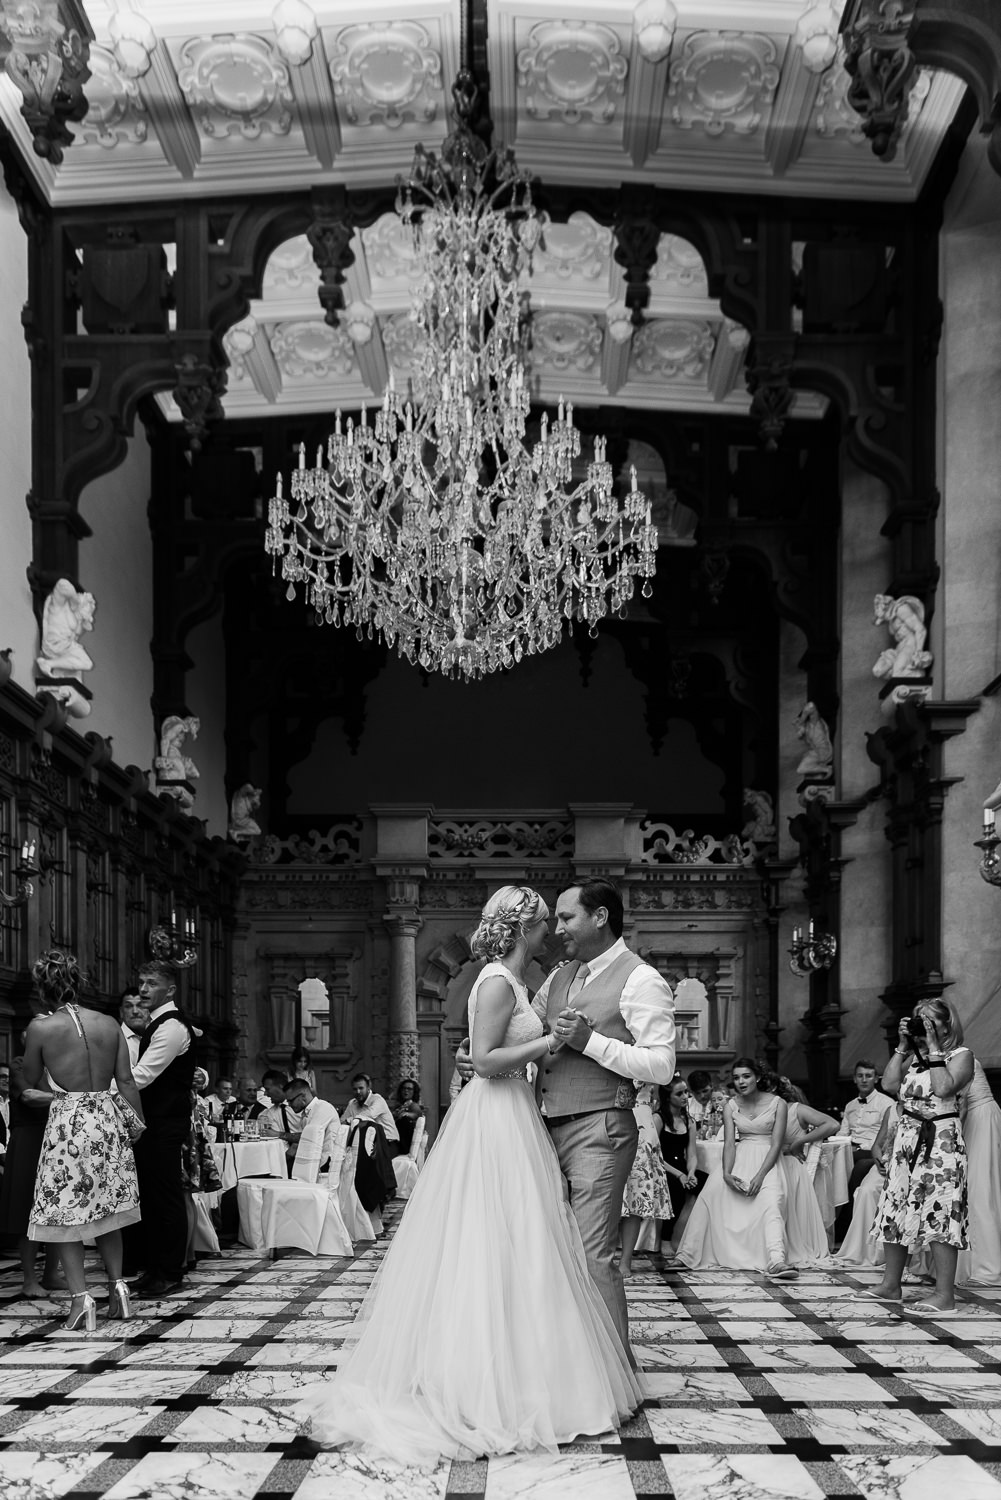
[(236, 86)]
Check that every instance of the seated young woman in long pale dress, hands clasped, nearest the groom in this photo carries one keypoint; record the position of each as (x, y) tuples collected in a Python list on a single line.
[(739, 1217)]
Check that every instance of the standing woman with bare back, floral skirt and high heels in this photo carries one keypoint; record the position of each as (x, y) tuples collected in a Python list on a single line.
[(86, 1183)]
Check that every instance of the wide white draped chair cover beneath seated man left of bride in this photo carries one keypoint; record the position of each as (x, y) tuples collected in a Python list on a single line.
[(301, 1214)]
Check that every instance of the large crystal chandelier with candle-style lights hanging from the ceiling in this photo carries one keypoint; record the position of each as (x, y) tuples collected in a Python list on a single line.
[(436, 524)]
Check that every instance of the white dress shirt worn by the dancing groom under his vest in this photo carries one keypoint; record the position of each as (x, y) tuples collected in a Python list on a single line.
[(646, 1006)]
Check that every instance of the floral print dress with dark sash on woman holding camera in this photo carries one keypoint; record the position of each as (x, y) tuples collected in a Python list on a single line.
[(924, 1198)]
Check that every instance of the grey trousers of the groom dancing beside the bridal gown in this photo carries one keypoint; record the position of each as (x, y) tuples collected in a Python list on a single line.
[(597, 1157)]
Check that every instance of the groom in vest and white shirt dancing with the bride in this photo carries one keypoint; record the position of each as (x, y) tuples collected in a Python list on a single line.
[(616, 1018)]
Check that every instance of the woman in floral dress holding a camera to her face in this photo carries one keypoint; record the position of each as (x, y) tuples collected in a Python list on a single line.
[(925, 1201)]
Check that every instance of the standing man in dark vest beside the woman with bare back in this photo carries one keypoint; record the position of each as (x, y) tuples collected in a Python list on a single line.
[(164, 1078)]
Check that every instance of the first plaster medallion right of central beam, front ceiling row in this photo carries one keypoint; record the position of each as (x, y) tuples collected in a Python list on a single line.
[(574, 71)]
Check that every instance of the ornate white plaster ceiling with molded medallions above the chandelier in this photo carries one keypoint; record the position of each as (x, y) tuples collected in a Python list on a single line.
[(194, 98)]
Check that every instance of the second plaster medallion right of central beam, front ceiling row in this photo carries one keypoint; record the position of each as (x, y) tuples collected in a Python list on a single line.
[(724, 82)]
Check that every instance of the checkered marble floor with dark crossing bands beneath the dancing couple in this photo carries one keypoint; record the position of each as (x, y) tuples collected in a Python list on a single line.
[(756, 1391)]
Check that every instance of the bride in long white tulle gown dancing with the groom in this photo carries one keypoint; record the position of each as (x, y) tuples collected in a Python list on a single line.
[(482, 1331)]
